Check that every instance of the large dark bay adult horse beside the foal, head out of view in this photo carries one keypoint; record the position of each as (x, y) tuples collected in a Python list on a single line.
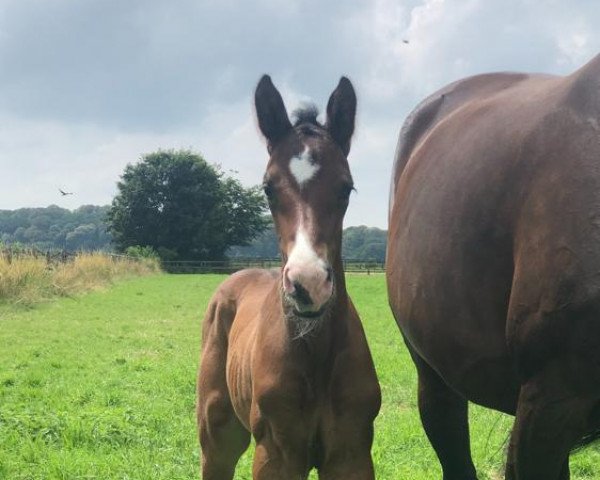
[(493, 263)]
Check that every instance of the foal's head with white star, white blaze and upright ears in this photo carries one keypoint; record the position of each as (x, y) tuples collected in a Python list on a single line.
[(308, 184)]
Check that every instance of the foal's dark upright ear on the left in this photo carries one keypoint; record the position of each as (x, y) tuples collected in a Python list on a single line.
[(270, 111)]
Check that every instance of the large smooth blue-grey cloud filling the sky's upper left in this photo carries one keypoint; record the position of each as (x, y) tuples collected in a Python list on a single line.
[(158, 65)]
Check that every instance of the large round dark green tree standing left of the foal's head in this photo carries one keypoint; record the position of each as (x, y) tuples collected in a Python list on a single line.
[(183, 207)]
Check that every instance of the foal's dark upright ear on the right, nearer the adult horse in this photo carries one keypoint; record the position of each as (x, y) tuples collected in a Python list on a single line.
[(341, 110)]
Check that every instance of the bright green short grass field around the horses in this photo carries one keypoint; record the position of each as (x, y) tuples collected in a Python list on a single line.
[(102, 387)]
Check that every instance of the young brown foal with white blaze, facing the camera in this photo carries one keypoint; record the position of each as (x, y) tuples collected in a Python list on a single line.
[(284, 354)]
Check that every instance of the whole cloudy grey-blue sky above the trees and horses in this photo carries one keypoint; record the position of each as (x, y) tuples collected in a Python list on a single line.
[(87, 87)]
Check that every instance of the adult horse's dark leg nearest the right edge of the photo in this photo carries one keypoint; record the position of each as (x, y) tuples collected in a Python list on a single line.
[(550, 419)]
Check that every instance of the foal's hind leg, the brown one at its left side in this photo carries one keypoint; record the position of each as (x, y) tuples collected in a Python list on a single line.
[(223, 438)]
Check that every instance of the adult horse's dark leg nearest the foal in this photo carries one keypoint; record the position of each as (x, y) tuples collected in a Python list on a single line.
[(444, 415)]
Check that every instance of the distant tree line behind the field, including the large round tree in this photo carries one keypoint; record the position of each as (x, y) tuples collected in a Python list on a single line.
[(177, 206)]
